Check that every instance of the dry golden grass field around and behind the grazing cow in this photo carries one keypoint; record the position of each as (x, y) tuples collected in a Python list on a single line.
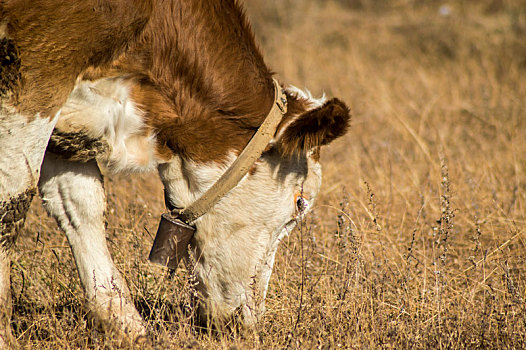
[(418, 239)]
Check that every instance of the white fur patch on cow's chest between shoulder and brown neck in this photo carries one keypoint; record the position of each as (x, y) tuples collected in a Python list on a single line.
[(104, 110)]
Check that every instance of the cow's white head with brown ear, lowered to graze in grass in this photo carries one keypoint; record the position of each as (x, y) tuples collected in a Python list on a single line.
[(236, 241)]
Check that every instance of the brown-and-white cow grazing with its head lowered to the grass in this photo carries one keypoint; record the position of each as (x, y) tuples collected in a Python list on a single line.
[(138, 85)]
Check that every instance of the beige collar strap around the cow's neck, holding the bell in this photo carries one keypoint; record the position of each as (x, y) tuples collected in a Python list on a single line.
[(242, 164)]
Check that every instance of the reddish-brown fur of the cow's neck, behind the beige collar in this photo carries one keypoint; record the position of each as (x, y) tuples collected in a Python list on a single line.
[(201, 79)]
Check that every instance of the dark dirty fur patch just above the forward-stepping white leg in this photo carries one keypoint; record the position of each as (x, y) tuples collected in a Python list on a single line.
[(76, 146)]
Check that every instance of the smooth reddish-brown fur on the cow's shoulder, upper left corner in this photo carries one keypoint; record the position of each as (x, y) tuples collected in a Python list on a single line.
[(58, 39)]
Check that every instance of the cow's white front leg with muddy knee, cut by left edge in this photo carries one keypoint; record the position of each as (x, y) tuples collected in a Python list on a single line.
[(23, 141)]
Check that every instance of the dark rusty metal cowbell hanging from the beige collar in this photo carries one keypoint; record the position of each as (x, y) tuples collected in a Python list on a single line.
[(171, 241)]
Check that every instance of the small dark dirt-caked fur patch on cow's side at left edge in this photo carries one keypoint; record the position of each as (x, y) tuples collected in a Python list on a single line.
[(9, 69)]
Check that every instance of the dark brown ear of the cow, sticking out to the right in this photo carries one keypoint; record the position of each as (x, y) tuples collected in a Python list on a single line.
[(314, 128)]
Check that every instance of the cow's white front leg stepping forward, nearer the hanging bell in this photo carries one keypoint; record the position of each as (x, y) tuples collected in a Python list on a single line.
[(73, 194)]
